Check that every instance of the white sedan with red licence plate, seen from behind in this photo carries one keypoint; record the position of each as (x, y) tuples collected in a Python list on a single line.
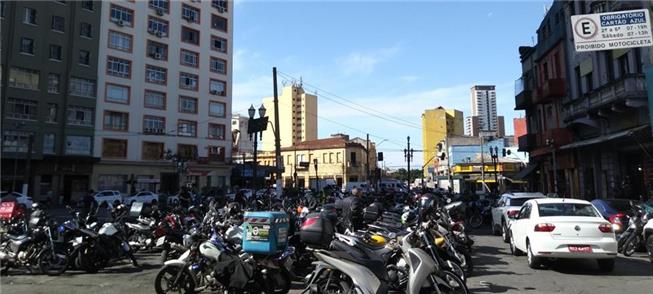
[(562, 228)]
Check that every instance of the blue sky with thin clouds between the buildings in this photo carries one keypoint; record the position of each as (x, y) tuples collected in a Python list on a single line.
[(393, 58)]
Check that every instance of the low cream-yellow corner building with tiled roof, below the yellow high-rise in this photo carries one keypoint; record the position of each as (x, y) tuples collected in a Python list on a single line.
[(338, 158)]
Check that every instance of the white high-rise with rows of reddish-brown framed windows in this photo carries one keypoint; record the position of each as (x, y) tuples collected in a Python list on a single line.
[(164, 102)]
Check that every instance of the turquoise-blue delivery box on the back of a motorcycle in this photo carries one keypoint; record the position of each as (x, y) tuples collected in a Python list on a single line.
[(265, 232)]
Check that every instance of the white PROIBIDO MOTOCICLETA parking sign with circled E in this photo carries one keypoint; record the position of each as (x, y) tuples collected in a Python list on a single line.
[(612, 30)]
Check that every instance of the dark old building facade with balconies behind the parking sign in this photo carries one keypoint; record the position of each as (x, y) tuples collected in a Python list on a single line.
[(590, 108)]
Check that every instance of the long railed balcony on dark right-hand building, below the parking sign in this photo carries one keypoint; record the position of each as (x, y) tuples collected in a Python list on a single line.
[(631, 86)]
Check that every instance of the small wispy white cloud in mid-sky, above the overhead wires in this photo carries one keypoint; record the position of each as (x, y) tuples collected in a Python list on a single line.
[(364, 63)]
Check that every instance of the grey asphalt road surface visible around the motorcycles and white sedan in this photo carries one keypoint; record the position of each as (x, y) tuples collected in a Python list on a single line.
[(496, 271)]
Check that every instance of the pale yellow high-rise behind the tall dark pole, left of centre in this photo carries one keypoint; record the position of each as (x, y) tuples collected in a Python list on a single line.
[(297, 117)]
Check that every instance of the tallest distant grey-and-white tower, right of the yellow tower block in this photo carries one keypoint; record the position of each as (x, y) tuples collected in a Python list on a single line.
[(484, 105)]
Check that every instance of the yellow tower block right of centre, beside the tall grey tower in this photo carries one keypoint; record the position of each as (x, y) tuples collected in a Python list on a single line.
[(437, 124)]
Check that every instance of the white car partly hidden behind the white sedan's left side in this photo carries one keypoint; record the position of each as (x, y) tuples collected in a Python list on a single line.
[(509, 204)]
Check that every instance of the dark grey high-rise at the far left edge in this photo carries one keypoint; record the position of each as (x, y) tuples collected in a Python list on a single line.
[(49, 77)]
